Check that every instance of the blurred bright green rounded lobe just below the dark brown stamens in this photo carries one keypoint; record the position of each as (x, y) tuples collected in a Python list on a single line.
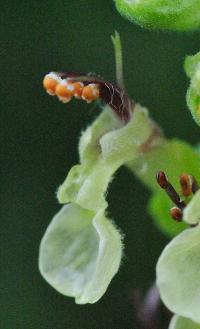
[(159, 206)]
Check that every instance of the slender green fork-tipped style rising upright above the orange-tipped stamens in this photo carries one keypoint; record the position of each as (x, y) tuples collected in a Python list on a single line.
[(118, 59)]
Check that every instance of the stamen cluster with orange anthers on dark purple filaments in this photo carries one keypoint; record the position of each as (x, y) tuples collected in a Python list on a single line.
[(89, 88)]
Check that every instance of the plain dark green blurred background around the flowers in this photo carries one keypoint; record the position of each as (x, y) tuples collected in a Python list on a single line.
[(39, 138)]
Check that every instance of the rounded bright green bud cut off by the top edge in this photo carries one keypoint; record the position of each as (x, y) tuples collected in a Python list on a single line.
[(182, 15)]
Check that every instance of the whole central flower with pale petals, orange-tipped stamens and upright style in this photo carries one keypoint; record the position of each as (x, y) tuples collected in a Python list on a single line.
[(81, 249)]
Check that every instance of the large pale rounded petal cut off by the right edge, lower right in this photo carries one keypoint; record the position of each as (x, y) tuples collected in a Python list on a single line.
[(178, 271)]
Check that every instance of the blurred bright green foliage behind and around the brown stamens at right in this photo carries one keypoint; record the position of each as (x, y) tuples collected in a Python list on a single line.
[(174, 157)]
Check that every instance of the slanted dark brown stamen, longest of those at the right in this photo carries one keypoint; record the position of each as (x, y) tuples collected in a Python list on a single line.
[(171, 192)]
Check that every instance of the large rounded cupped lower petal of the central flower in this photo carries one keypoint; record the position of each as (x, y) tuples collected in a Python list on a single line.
[(80, 253)]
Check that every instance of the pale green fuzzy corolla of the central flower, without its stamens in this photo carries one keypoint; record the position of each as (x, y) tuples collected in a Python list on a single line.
[(81, 249)]
